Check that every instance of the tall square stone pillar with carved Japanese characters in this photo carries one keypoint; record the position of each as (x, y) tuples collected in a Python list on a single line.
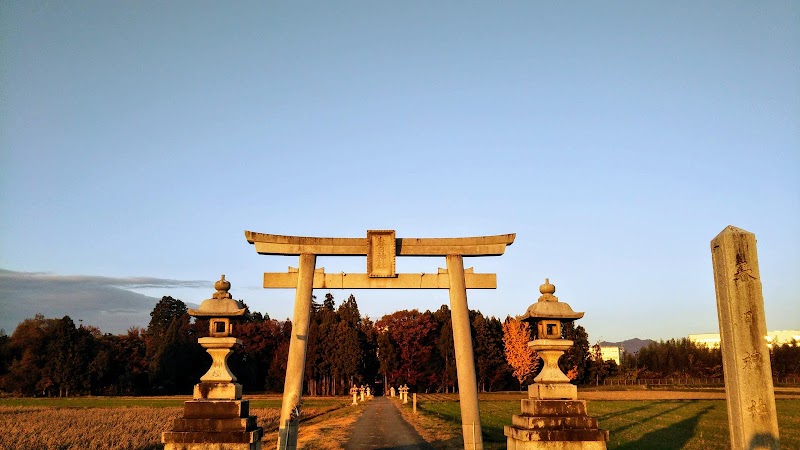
[(752, 418)]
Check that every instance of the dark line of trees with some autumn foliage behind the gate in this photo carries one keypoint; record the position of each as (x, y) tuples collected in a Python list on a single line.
[(54, 357)]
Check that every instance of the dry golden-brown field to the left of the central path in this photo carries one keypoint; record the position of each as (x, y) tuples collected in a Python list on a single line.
[(134, 424)]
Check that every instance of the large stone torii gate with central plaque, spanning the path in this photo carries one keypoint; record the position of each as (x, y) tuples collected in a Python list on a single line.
[(381, 248)]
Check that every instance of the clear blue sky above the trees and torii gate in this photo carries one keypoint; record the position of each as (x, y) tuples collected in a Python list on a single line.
[(139, 139)]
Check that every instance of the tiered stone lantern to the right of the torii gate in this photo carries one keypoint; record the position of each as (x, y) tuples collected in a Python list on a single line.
[(552, 416)]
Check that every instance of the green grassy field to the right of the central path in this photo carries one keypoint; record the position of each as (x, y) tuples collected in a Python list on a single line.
[(636, 419)]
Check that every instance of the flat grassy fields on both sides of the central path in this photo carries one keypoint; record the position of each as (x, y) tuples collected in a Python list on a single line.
[(653, 419)]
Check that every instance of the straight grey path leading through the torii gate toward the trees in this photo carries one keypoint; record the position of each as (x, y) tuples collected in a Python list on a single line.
[(382, 427)]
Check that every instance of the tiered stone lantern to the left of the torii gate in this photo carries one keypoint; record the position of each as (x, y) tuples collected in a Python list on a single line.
[(217, 418)]
